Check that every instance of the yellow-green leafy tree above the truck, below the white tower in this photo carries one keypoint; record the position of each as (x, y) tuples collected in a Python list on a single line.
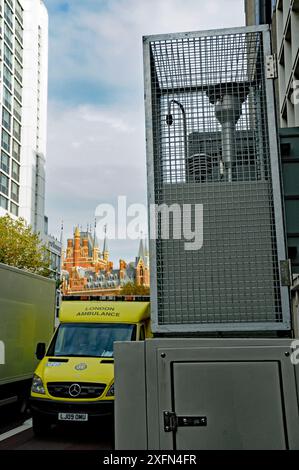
[(22, 248)]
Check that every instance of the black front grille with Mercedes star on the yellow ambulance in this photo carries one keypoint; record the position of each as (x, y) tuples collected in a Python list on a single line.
[(87, 390)]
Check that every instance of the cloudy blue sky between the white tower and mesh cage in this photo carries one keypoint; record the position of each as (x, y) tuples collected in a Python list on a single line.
[(96, 142)]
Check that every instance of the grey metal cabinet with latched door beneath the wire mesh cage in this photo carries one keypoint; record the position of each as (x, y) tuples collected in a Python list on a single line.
[(207, 394)]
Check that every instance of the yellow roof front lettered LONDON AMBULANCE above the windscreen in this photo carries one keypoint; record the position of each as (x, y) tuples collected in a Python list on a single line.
[(103, 312)]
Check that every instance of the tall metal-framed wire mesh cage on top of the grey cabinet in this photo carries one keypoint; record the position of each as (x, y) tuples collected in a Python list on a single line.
[(208, 147)]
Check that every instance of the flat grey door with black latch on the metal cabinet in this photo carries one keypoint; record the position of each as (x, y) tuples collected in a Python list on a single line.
[(239, 404)]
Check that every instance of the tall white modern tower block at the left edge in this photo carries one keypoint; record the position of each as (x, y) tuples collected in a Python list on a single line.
[(23, 107)]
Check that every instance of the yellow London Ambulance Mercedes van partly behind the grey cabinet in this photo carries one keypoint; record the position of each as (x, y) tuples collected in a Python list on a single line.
[(74, 380)]
